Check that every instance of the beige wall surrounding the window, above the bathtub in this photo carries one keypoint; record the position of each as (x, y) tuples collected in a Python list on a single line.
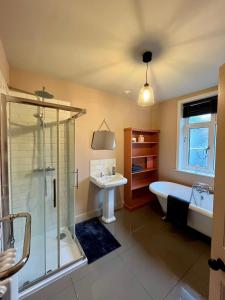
[(167, 120)]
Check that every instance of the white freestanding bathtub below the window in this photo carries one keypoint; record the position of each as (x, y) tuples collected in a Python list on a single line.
[(200, 212)]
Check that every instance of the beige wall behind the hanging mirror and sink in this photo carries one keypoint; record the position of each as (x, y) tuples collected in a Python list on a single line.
[(119, 113)]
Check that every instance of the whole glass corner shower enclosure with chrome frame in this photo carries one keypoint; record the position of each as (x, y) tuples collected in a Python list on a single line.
[(39, 176)]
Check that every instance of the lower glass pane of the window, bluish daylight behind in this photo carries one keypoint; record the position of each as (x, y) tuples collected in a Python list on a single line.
[(198, 147)]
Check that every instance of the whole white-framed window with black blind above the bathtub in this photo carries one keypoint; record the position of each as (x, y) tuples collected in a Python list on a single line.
[(197, 136)]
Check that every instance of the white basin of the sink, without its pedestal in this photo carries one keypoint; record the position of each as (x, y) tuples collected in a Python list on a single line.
[(109, 181)]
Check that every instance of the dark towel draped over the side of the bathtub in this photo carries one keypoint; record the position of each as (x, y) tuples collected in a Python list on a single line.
[(177, 211)]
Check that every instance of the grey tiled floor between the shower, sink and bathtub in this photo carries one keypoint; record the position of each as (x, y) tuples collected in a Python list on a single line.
[(155, 261)]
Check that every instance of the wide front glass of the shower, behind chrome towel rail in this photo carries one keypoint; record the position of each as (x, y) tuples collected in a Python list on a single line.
[(33, 175)]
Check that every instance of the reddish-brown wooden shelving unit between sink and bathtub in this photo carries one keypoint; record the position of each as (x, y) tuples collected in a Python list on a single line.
[(145, 155)]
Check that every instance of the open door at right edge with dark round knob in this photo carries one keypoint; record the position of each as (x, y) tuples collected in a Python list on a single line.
[(217, 275)]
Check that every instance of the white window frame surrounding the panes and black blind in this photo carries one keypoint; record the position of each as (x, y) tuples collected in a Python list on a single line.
[(183, 126)]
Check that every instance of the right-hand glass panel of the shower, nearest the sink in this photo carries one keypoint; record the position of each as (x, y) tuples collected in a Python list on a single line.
[(69, 250)]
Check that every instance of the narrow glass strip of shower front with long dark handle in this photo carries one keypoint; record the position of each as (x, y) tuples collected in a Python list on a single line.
[(50, 160)]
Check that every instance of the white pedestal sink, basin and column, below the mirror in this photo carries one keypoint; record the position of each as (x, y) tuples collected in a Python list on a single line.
[(108, 183)]
